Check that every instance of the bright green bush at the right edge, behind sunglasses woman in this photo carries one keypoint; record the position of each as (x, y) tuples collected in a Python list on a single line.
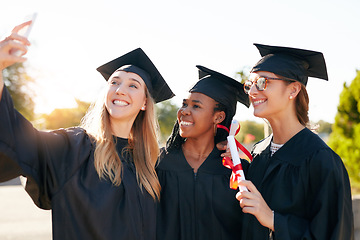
[(345, 136)]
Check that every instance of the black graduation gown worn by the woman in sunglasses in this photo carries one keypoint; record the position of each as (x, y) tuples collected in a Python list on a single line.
[(307, 186)]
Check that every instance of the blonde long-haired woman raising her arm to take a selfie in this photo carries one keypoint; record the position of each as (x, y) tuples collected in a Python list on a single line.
[(99, 180)]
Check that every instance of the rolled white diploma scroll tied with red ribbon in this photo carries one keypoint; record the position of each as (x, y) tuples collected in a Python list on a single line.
[(235, 164)]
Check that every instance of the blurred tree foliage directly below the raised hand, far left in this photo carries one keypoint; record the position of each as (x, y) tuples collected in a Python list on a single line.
[(19, 84)]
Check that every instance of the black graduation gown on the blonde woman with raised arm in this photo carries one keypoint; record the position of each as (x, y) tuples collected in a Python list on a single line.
[(61, 176)]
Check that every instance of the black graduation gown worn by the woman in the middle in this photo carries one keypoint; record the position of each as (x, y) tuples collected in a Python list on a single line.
[(201, 207)]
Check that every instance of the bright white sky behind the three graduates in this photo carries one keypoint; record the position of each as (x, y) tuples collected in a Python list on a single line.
[(70, 39)]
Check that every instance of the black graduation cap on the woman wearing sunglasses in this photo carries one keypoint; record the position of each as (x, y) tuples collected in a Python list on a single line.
[(293, 63)]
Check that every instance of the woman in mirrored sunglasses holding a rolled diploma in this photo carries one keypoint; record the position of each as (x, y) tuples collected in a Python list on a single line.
[(298, 187)]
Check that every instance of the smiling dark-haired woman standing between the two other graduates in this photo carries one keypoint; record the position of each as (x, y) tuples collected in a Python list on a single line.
[(196, 200)]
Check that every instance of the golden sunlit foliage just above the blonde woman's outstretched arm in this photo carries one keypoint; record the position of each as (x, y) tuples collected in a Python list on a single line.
[(66, 117)]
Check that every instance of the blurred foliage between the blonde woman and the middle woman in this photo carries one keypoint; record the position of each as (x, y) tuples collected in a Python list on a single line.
[(167, 114)]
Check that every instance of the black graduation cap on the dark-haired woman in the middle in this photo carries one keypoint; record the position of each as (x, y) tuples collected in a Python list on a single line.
[(222, 89)]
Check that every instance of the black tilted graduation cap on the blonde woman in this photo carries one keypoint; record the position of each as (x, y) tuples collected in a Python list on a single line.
[(138, 62)]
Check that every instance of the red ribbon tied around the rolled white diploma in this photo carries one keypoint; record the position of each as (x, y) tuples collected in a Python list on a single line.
[(227, 162)]
